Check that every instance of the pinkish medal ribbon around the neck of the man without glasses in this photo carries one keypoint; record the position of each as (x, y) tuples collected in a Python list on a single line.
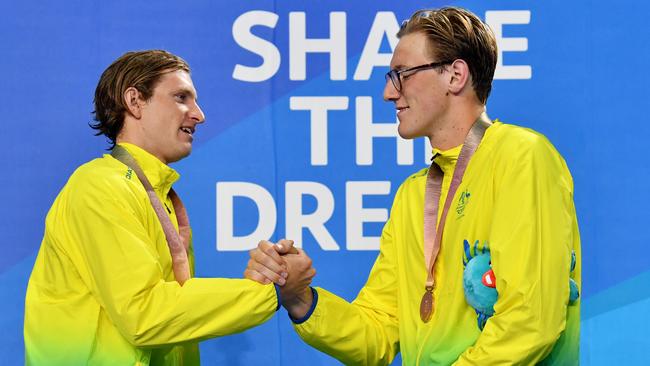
[(178, 242)]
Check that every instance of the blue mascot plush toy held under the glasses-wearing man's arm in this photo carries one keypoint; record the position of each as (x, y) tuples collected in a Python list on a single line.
[(479, 281)]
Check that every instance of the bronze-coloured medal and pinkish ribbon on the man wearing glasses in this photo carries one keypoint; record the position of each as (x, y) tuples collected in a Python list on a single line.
[(432, 231)]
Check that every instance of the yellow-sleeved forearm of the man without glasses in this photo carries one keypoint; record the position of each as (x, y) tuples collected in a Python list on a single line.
[(201, 308)]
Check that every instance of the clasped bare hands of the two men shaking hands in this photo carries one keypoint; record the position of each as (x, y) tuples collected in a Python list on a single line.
[(288, 267)]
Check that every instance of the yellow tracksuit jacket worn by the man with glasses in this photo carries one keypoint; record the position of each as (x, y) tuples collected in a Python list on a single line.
[(516, 196)]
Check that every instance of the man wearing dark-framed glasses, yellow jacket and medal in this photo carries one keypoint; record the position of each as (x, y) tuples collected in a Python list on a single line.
[(510, 194)]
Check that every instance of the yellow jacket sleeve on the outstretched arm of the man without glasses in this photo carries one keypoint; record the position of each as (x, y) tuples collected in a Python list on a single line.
[(117, 260)]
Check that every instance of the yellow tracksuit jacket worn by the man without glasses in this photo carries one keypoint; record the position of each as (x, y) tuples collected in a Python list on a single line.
[(102, 291)]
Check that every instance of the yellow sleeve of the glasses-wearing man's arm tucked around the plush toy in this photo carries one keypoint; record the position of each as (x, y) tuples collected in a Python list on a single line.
[(531, 239)]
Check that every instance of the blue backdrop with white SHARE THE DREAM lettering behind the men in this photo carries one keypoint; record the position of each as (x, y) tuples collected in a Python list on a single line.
[(300, 141)]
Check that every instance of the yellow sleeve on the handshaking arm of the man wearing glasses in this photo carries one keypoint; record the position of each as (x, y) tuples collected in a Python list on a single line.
[(364, 332)]
